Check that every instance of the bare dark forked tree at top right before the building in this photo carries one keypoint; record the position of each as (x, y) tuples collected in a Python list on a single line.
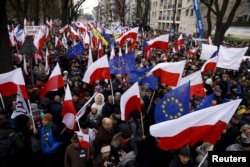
[(219, 9)]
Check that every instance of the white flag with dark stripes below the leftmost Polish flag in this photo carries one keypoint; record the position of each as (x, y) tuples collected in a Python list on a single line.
[(21, 105)]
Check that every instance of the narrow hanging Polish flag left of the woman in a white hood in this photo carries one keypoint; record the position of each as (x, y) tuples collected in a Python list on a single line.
[(68, 110)]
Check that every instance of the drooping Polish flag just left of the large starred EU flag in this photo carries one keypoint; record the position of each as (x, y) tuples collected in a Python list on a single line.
[(130, 101)]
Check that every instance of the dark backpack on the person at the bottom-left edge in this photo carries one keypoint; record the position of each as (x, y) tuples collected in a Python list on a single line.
[(7, 146)]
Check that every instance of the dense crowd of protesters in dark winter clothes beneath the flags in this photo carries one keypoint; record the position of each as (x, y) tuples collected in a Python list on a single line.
[(114, 142)]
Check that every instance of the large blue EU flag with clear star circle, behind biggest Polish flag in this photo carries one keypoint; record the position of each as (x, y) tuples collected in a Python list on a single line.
[(174, 104)]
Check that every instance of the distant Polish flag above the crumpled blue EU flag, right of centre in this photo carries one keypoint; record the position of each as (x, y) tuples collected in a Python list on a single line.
[(160, 42)]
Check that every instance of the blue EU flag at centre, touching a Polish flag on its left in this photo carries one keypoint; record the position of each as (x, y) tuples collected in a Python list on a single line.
[(122, 64)]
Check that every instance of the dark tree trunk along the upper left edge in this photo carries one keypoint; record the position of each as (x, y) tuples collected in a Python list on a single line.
[(6, 63)]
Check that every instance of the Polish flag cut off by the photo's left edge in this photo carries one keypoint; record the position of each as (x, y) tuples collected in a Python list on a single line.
[(9, 82)]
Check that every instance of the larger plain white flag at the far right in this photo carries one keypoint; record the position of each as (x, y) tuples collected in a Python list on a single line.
[(230, 58)]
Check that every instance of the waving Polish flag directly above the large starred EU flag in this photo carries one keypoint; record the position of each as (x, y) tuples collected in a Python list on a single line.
[(169, 72)]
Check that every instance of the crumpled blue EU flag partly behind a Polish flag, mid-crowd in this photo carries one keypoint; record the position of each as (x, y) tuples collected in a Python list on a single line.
[(140, 76)]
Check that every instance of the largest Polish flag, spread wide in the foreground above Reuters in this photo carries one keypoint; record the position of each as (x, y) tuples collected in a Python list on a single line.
[(204, 125)]
